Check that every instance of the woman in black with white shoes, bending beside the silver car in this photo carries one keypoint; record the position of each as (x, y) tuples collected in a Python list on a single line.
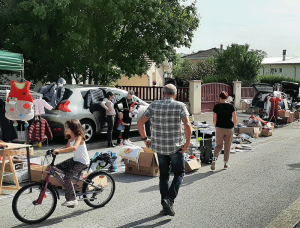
[(126, 102)]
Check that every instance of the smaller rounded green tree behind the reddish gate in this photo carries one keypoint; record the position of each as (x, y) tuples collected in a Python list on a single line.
[(238, 60)]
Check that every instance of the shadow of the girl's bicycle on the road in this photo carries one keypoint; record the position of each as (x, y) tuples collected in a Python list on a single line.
[(56, 220)]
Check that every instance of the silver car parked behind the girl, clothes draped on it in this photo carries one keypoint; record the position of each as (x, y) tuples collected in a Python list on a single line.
[(72, 107)]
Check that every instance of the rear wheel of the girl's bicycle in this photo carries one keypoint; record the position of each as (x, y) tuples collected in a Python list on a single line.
[(102, 194)]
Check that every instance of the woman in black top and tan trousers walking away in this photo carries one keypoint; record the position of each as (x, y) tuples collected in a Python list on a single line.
[(224, 120)]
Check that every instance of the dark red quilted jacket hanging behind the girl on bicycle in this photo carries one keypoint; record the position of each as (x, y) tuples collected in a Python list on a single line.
[(38, 129)]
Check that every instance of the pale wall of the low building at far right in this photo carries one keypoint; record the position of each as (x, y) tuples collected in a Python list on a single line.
[(291, 71)]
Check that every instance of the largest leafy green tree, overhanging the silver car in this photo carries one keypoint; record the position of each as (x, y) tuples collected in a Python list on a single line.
[(94, 39)]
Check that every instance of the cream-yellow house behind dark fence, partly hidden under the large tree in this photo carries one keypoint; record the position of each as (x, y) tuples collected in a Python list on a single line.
[(155, 75)]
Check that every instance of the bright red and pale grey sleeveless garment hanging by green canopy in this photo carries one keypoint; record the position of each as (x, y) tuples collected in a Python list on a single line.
[(19, 104)]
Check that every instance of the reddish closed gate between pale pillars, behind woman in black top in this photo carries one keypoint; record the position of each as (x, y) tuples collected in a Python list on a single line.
[(210, 95)]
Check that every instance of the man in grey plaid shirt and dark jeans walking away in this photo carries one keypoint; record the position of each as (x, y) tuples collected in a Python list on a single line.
[(168, 141)]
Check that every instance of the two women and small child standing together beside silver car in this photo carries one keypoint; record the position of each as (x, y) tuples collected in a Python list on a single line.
[(124, 118)]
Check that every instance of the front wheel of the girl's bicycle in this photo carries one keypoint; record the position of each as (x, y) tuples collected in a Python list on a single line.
[(24, 204)]
